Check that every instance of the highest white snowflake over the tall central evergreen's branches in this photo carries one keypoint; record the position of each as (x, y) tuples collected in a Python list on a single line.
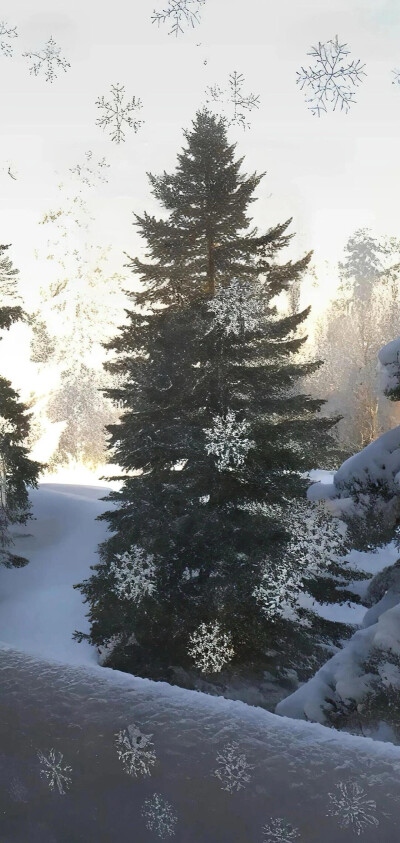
[(237, 308)]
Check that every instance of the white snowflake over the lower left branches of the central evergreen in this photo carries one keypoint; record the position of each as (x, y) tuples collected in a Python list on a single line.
[(134, 573)]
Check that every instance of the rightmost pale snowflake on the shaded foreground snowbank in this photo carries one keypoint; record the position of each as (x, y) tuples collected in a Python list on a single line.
[(352, 806)]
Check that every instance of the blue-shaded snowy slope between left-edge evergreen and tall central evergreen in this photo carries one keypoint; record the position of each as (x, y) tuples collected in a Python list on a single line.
[(39, 609)]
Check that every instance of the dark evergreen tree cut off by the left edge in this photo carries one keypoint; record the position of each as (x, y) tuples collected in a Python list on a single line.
[(17, 471)]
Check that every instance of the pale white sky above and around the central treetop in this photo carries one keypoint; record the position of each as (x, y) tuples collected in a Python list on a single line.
[(331, 174)]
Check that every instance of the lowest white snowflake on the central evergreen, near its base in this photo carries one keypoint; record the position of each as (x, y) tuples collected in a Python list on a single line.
[(210, 648)]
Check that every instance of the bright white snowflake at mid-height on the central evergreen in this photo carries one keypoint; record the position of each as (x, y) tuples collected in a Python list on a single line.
[(228, 441)]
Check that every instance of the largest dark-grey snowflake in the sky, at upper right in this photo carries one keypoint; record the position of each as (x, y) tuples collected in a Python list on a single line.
[(331, 80)]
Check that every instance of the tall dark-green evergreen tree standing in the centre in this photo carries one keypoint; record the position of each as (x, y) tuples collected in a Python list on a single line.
[(215, 440)]
